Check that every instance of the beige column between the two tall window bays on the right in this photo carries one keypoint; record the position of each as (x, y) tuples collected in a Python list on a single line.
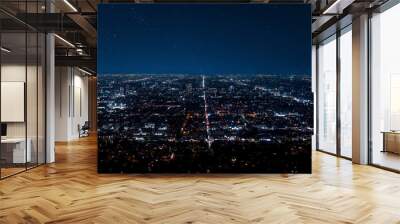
[(360, 90)]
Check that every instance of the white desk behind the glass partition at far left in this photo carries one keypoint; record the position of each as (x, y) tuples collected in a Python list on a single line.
[(13, 150)]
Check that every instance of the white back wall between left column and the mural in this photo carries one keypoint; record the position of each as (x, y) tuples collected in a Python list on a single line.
[(71, 102)]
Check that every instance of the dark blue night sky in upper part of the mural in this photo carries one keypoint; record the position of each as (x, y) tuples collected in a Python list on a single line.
[(204, 38)]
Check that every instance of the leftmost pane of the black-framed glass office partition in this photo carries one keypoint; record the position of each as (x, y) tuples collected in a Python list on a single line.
[(14, 153)]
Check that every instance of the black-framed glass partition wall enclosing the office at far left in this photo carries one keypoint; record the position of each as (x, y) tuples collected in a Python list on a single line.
[(22, 91)]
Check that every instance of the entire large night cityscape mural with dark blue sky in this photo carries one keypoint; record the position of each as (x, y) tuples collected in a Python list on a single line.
[(204, 88)]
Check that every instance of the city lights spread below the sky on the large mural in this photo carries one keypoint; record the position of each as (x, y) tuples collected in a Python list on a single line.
[(217, 123)]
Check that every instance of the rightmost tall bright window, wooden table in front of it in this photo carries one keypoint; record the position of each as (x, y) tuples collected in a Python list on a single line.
[(385, 89)]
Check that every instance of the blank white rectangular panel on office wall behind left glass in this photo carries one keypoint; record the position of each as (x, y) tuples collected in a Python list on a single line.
[(12, 101)]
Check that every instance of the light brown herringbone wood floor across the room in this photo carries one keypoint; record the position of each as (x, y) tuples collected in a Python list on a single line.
[(71, 191)]
